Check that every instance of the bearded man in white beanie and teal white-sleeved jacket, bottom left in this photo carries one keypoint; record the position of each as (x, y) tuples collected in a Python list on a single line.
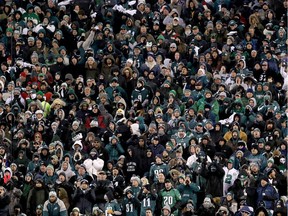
[(54, 206)]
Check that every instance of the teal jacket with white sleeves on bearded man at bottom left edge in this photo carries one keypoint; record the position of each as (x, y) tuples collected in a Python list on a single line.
[(54, 209)]
